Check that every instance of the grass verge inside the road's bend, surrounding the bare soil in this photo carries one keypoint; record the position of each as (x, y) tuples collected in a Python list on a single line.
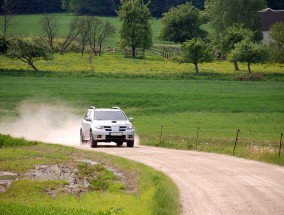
[(154, 193)]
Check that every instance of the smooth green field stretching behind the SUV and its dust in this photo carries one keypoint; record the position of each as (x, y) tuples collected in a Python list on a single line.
[(218, 108)]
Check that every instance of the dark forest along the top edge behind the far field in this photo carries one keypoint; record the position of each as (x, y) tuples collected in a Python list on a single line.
[(106, 7)]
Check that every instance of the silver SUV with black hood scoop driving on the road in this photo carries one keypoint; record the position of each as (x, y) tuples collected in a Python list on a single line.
[(107, 125)]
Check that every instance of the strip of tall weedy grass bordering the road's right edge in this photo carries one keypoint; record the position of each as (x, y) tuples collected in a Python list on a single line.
[(260, 150)]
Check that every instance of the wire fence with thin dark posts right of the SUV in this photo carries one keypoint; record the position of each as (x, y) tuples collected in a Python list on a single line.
[(226, 141)]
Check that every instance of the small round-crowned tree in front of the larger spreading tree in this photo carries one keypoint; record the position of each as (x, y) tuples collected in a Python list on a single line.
[(195, 51)]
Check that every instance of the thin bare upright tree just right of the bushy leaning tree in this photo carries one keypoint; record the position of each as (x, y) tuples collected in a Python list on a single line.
[(50, 26)]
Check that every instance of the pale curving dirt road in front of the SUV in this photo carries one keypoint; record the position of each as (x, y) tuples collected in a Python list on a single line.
[(211, 183)]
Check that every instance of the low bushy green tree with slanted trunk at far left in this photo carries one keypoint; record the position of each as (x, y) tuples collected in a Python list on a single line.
[(28, 52)]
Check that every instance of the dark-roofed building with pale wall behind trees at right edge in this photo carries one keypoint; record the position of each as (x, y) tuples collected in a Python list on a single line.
[(268, 18)]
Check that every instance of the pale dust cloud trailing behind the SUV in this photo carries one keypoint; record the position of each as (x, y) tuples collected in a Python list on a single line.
[(44, 122)]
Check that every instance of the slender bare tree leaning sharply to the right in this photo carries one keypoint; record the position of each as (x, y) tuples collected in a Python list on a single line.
[(72, 34)]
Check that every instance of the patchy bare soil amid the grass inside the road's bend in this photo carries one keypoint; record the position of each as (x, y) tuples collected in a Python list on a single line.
[(76, 184)]
